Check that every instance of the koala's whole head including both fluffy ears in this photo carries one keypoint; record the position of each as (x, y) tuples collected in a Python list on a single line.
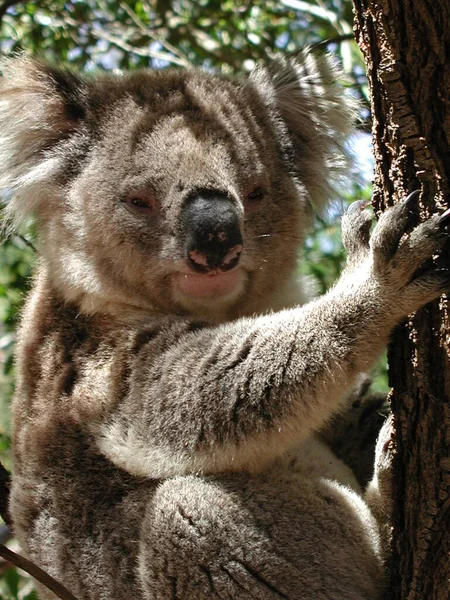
[(171, 191)]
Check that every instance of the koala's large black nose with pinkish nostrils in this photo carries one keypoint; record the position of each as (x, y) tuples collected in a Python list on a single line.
[(212, 232)]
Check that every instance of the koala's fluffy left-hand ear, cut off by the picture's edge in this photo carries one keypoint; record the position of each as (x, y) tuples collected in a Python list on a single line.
[(40, 106)]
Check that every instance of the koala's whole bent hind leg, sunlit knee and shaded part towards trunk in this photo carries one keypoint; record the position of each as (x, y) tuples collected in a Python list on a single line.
[(242, 537)]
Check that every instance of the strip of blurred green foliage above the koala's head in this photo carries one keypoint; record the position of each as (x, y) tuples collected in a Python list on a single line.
[(229, 34)]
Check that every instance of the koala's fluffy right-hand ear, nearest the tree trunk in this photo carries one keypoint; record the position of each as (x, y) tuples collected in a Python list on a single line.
[(309, 93)]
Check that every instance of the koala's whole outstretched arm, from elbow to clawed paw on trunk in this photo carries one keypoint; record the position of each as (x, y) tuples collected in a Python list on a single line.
[(204, 398)]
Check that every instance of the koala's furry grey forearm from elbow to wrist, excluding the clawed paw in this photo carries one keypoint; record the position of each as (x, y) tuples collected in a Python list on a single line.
[(272, 379)]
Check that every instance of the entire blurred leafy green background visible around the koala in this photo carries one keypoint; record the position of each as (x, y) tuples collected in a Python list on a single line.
[(227, 36)]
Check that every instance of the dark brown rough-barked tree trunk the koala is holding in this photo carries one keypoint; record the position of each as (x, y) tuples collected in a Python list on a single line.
[(406, 45)]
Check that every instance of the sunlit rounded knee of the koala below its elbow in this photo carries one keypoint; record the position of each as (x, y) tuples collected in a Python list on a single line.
[(195, 545)]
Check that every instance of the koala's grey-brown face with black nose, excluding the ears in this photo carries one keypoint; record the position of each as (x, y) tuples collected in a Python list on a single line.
[(184, 203)]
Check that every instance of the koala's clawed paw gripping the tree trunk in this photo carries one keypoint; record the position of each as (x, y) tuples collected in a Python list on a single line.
[(395, 251)]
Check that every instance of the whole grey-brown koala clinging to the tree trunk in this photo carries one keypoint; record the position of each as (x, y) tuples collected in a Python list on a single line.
[(173, 384)]
